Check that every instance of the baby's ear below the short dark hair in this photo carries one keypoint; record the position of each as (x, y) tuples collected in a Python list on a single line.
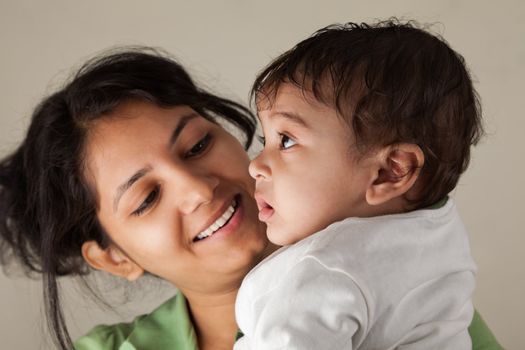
[(398, 170)]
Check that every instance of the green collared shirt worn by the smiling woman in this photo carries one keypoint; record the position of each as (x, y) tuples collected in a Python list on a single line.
[(170, 327)]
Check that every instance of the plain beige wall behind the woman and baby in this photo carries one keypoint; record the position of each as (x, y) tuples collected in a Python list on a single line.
[(225, 43)]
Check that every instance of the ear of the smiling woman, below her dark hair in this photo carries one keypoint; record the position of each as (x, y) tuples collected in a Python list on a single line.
[(112, 260)]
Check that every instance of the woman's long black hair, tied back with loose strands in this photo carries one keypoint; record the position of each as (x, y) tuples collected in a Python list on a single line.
[(46, 209)]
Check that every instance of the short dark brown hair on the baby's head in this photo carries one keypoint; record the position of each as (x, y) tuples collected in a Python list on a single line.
[(394, 83)]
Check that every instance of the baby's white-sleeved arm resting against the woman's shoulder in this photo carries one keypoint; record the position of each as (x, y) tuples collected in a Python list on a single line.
[(312, 307)]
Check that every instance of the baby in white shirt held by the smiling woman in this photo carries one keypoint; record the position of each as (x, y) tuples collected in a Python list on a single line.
[(367, 129)]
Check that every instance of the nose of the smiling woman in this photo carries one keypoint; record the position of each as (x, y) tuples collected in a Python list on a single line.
[(195, 190)]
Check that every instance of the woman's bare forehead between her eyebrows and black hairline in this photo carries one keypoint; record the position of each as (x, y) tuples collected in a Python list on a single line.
[(127, 139)]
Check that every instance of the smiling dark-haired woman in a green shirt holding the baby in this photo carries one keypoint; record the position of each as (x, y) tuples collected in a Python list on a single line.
[(126, 169)]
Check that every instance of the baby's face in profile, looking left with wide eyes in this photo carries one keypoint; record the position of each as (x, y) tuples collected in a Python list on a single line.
[(309, 173)]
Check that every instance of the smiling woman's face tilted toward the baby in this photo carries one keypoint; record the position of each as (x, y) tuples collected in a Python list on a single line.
[(175, 196)]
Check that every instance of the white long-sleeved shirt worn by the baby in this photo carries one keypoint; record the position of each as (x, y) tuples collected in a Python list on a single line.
[(398, 281)]
